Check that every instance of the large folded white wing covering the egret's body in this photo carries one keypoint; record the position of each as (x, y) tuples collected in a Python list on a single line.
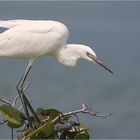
[(32, 40)]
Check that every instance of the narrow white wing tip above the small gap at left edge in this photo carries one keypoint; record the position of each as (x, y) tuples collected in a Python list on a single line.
[(12, 23)]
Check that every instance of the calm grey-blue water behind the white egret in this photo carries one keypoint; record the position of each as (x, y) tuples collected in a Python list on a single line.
[(112, 29)]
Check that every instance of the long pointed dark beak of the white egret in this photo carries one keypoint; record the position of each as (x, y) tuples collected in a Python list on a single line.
[(99, 62)]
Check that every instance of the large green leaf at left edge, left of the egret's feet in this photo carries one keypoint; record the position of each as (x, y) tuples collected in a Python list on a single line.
[(12, 115)]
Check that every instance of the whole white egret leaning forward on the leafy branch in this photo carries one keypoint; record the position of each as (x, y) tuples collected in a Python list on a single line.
[(32, 39)]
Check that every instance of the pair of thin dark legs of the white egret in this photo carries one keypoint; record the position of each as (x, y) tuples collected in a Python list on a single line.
[(23, 98)]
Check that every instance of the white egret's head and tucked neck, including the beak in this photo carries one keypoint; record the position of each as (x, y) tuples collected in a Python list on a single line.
[(69, 55)]
